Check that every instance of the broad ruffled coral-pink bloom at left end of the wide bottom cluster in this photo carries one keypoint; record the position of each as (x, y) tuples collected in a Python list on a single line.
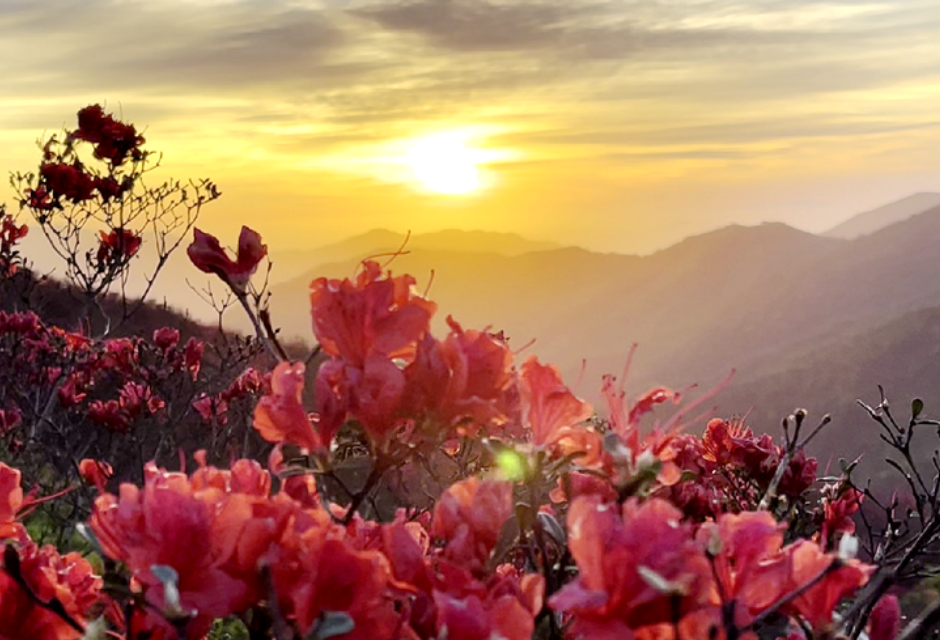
[(206, 536)]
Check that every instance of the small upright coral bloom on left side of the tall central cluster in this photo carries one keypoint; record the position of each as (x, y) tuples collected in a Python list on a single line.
[(280, 416)]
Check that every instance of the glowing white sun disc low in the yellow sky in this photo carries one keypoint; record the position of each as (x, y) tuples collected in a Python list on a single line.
[(444, 164)]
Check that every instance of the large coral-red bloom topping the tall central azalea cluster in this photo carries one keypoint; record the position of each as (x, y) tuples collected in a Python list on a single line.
[(372, 315)]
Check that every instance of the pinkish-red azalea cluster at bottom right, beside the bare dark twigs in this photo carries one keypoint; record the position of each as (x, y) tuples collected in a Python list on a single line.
[(644, 572)]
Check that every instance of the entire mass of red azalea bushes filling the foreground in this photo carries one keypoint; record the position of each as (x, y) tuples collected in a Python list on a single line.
[(538, 518)]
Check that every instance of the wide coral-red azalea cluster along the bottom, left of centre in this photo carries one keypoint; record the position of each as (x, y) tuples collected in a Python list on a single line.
[(232, 543)]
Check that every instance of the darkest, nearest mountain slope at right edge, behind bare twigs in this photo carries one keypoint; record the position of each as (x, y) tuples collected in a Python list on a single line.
[(903, 356)]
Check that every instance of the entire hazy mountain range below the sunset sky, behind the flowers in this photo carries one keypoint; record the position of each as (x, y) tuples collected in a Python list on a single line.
[(806, 320)]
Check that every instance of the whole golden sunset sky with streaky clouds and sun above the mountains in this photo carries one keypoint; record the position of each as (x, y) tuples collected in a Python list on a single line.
[(618, 125)]
